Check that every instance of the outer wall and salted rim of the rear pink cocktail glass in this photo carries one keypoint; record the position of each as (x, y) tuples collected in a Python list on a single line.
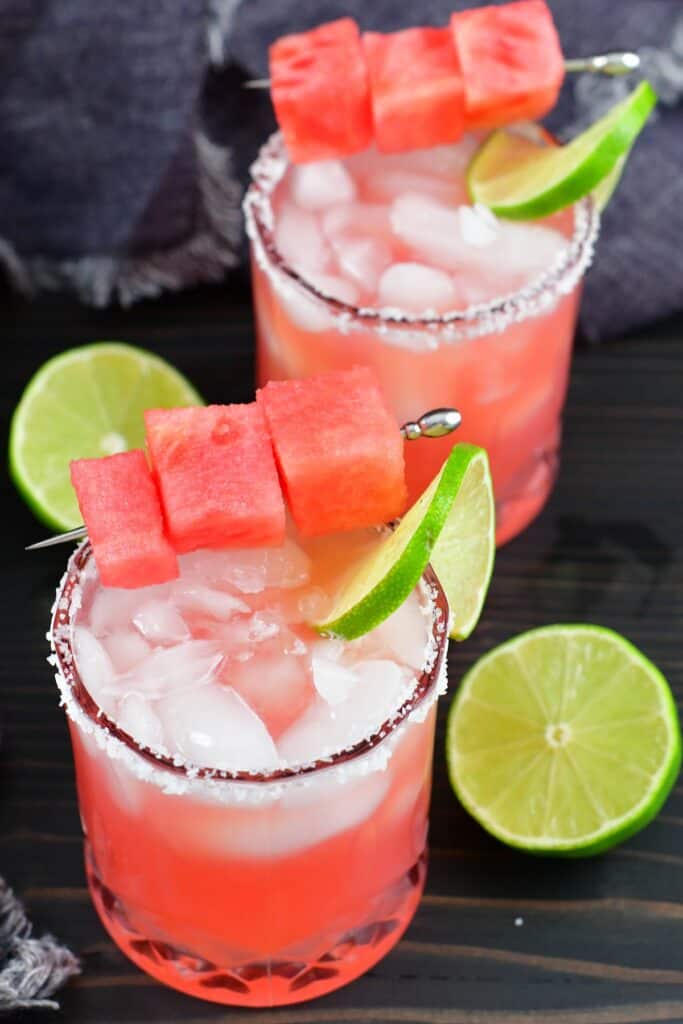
[(504, 364)]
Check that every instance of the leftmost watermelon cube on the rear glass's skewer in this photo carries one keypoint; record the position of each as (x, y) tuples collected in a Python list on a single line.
[(319, 86)]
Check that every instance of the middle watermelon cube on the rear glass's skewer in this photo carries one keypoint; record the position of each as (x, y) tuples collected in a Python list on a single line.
[(417, 89)]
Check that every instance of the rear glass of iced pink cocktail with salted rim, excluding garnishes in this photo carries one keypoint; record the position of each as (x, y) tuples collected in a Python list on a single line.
[(380, 261)]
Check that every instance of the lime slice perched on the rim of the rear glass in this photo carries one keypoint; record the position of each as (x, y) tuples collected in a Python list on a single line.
[(521, 181)]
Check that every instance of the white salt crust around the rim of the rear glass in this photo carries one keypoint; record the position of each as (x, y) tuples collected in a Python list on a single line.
[(396, 326)]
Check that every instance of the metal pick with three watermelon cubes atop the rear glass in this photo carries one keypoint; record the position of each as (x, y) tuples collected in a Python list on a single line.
[(335, 91)]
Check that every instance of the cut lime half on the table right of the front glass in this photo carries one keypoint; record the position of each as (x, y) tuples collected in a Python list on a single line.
[(564, 741)]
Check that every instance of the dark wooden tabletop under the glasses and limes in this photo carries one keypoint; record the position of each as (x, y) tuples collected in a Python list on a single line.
[(500, 938)]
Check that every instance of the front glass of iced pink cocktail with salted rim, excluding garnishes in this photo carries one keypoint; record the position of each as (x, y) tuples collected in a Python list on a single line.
[(254, 798)]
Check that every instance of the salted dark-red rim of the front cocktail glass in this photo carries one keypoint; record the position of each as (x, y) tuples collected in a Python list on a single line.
[(66, 608)]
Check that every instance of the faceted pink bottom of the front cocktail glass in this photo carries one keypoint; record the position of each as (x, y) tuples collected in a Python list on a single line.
[(267, 984)]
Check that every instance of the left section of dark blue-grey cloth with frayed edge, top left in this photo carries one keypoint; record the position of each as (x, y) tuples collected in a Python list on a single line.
[(107, 183)]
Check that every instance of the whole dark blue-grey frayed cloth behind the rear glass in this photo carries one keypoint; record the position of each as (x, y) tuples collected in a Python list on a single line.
[(120, 126)]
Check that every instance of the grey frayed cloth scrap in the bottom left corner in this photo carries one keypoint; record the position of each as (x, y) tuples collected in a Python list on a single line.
[(31, 970)]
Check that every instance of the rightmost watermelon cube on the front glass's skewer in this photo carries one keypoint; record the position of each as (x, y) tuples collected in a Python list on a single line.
[(339, 451)]
